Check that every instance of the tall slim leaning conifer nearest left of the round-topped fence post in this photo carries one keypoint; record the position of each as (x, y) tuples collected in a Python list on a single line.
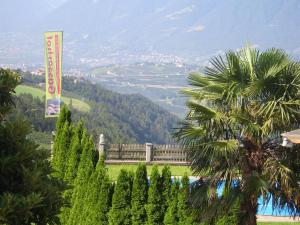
[(85, 169)]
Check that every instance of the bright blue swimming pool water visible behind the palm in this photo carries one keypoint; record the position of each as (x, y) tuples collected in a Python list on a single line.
[(262, 210)]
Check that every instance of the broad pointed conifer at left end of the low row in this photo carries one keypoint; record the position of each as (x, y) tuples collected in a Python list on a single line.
[(119, 213)]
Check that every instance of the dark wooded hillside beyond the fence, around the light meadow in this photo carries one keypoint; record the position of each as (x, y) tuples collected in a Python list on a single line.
[(121, 118)]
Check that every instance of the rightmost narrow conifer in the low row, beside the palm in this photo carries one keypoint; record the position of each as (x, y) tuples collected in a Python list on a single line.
[(184, 210)]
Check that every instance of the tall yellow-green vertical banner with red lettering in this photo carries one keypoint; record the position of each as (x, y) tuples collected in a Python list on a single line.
[(53, 72)]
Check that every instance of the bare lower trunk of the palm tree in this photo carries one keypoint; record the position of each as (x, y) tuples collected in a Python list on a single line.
[(249, 210)]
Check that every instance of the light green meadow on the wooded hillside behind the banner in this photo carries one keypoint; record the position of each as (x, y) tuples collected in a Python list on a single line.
[(36, 92)]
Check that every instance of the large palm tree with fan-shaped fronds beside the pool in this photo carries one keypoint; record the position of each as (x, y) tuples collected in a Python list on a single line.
[(237, 110)]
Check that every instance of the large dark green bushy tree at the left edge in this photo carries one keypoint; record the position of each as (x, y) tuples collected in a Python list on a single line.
[(28, 192)]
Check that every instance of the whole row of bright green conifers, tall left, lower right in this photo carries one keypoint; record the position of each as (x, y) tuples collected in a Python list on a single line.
[(94, 199)]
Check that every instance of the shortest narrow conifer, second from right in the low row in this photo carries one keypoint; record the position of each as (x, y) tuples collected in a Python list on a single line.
[(171, 216)]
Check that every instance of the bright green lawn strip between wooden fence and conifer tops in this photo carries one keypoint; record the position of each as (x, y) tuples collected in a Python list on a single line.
[(113, 170)]
